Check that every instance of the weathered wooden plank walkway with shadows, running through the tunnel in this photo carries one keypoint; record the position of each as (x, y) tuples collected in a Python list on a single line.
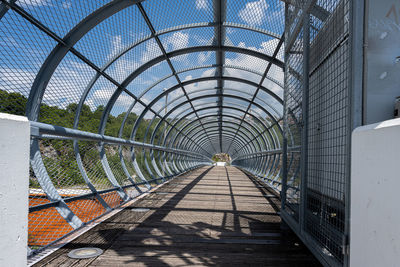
[(214, 216)]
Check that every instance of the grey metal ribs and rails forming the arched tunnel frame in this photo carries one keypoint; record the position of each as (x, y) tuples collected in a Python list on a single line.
[(176, 141)]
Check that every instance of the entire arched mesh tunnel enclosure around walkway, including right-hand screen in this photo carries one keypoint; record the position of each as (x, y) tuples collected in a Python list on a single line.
[(123, 96)]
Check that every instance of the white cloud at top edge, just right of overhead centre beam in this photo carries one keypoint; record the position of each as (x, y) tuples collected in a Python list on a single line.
[(254, 13)]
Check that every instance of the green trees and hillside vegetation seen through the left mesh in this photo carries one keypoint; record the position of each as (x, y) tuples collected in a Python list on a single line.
[(59, 155)]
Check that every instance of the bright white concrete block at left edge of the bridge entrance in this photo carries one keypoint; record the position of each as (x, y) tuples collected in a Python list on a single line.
[(14, 186)]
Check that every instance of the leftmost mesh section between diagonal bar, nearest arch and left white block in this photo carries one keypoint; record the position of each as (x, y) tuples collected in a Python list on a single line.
[(21, 56)]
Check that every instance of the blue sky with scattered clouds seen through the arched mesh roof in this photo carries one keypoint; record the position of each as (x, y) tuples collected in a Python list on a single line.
[(24, 48)]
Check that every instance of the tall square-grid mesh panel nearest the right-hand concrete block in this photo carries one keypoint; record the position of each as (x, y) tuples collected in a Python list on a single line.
[(328, 132)]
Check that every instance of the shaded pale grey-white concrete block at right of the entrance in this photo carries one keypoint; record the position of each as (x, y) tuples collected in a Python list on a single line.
[(375, 195)]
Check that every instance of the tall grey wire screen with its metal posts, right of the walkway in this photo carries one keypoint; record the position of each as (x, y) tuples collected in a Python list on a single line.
[(316, 199)]
